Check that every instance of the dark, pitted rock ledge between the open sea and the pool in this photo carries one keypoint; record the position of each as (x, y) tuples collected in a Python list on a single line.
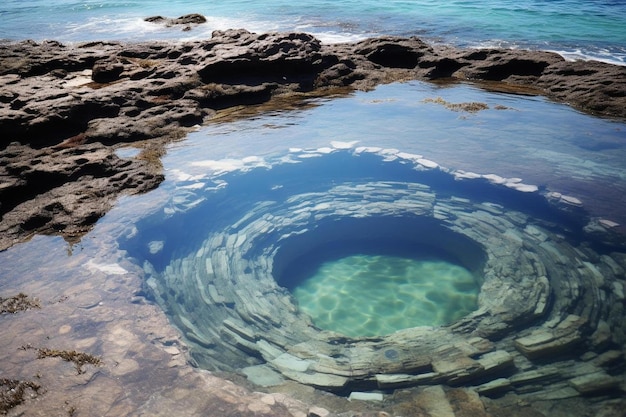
[(65, 108)]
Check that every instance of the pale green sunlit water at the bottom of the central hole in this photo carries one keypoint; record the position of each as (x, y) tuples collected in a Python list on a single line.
[(369, 295)]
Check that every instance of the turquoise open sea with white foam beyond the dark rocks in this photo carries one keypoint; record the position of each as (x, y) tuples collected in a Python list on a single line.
[(577, 29)]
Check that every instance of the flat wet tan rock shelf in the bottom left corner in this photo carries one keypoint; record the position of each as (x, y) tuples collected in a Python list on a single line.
[(141, 364)]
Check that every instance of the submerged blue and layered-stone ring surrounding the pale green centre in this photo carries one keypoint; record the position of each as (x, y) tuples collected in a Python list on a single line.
[(547, 285)]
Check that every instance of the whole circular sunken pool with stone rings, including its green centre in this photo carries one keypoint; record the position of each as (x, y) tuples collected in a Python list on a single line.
[(228, 255)]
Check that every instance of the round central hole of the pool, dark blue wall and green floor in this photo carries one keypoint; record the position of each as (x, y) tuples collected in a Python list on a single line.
[(377, 275)]
